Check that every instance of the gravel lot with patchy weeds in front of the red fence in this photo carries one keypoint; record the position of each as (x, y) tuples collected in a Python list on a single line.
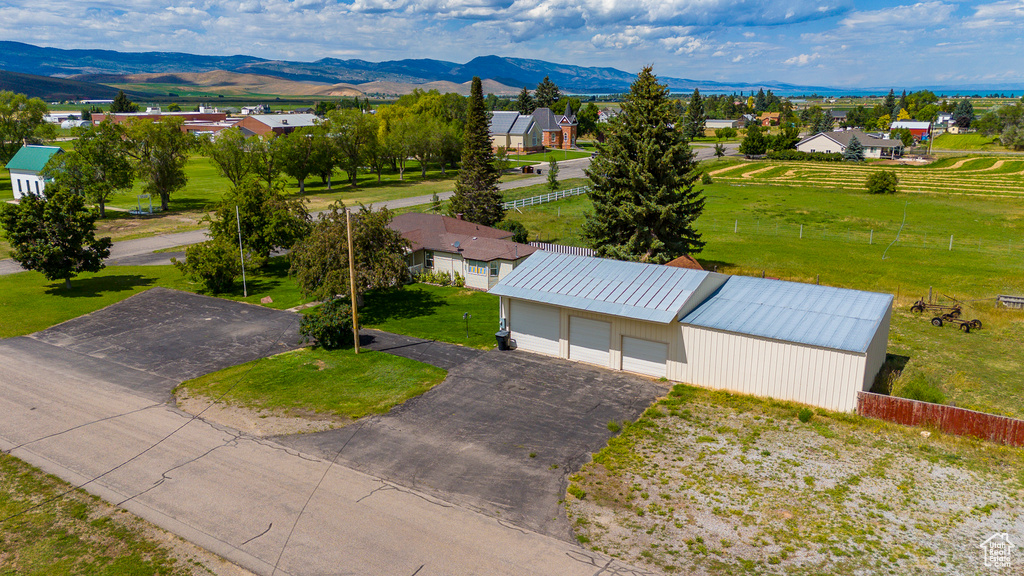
[(710, 483)]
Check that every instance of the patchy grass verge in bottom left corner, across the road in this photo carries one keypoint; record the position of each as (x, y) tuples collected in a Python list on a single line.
[(75, 533)]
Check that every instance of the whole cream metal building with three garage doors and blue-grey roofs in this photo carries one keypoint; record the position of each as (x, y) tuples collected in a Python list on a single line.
[(808, 344)]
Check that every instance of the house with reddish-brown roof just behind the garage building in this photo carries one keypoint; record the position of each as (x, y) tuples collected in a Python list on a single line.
[(482, 255)]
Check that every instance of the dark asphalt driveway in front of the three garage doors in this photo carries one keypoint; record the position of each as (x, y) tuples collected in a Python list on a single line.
[(500, 436)]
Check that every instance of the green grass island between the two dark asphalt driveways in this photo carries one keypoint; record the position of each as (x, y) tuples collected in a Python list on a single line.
[(338, 383)]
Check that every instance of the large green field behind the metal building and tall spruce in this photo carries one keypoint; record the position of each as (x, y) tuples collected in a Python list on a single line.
[(855, 240)]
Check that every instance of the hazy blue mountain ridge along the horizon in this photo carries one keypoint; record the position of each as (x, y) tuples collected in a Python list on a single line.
[(18, 57)]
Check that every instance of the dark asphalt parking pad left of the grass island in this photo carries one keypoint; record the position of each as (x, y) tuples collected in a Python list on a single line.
[(161, 338)]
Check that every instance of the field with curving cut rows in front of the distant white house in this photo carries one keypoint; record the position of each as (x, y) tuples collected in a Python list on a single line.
[(983, 177)]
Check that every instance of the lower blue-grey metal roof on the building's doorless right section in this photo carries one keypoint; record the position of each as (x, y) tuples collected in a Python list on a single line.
[(807, 314)]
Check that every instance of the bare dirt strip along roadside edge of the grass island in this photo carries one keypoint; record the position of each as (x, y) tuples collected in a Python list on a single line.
[(260, 423)]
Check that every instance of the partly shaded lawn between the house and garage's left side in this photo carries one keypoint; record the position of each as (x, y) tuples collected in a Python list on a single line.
[(435, 313)]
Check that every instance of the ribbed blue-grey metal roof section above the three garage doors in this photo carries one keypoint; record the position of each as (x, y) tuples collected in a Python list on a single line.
[(632, 291)]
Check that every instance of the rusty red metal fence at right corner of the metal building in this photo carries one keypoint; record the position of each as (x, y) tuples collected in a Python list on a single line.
[(947, 419)]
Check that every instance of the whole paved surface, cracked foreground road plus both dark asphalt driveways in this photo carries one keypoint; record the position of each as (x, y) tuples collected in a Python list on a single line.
[(88, 401)]
